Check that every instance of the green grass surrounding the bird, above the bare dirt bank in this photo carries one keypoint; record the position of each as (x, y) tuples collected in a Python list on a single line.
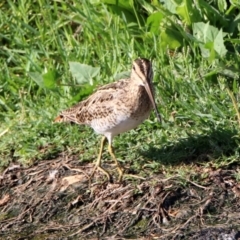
[(195, 96)]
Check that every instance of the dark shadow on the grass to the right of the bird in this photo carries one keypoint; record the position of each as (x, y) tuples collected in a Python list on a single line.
[(197, 148)]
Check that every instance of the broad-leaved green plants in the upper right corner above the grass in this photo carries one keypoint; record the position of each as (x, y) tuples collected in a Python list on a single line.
[(179, 23)]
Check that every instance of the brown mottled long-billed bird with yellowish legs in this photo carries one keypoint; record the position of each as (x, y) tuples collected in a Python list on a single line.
[(116, 108)]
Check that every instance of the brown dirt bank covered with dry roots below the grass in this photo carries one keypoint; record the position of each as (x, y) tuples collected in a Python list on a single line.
[(54, 199)]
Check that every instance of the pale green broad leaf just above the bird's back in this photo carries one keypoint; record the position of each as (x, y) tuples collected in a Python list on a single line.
[(83, 73)]
